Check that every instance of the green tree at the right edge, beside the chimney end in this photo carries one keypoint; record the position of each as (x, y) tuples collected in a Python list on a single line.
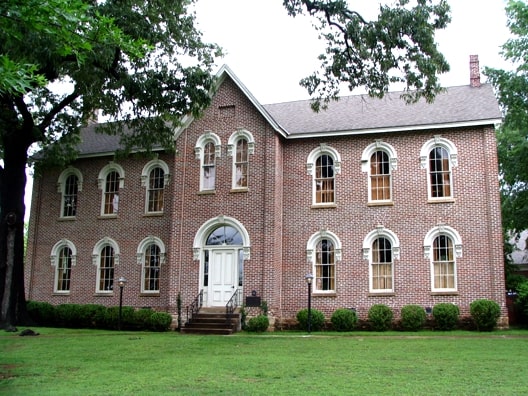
[(512, 136)]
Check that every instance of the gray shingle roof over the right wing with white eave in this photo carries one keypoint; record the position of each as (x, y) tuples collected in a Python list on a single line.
[(458, 106)]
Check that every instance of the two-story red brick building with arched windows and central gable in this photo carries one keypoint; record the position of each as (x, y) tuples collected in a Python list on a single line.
[(381, 201)]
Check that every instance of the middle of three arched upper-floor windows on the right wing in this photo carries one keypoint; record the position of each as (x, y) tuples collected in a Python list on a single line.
[(379, 160)]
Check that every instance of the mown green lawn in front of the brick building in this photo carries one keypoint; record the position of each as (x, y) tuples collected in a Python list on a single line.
[(90, 362)]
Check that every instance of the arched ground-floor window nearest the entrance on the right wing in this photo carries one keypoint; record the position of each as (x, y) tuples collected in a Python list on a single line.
[(323, 252)]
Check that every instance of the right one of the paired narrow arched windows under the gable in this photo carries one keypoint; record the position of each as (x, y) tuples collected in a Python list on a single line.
[(240, 146)]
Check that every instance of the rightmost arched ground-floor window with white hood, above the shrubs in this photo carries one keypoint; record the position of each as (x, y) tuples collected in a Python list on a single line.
[(442, 246)]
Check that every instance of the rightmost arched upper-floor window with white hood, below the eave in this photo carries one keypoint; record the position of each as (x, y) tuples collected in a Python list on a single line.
[(439, 157)]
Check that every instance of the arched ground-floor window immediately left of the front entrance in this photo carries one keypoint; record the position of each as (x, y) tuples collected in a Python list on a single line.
[(151, 256)]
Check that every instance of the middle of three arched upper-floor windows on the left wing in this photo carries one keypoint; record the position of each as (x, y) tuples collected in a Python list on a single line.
[(110, 181)]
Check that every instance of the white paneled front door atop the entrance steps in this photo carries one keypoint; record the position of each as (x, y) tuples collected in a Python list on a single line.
[(223, 276)]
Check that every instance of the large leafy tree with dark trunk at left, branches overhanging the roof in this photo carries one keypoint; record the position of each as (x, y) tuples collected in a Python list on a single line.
[(124, 57)]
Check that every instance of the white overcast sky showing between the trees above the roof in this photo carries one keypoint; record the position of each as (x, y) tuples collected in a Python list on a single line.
[(271, 52)]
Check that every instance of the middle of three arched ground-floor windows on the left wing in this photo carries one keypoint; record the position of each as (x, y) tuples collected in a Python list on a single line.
[(105, 256)]
